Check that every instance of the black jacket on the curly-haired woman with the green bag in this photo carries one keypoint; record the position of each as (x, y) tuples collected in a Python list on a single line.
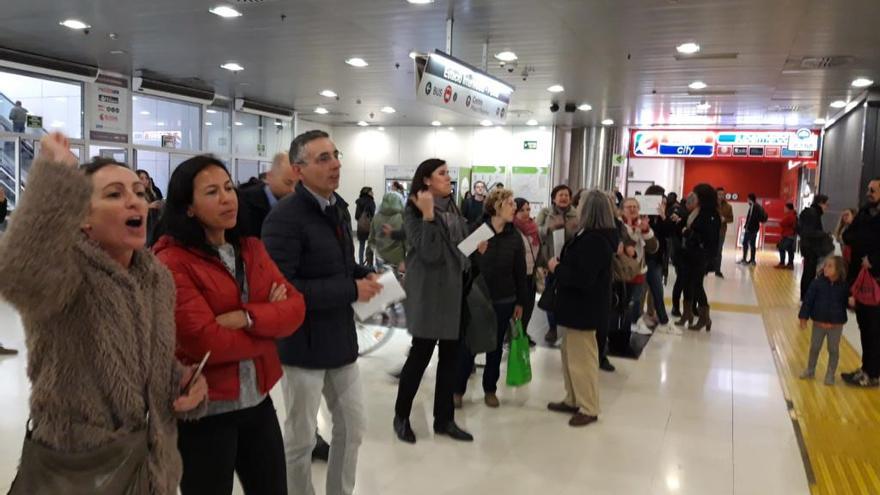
[(504, 266)]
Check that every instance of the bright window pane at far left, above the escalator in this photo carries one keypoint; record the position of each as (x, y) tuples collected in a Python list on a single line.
[(58, 103)]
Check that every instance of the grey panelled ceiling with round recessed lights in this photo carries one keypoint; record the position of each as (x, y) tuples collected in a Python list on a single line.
[(616, 55)]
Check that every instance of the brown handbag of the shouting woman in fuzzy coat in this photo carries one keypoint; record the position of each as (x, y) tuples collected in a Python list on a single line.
[(118, 468)]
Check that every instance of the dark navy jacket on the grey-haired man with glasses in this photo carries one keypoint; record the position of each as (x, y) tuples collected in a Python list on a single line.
[(314, 250)]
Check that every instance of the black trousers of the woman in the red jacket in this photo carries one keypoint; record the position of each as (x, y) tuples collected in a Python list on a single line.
[(247, 442)]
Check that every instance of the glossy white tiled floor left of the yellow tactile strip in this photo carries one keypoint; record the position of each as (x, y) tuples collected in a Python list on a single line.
[(697, 414)]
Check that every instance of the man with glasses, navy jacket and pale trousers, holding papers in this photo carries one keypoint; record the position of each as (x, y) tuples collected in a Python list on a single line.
[(309, 236)]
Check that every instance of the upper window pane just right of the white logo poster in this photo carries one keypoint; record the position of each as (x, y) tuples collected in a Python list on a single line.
[(156, 117)]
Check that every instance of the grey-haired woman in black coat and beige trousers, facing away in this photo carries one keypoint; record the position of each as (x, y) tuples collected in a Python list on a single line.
[(583, 304)]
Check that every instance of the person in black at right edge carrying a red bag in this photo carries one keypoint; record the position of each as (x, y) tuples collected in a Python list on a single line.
[(863, 236)]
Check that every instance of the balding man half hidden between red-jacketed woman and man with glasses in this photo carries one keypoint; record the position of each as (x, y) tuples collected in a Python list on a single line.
[(256, 201)]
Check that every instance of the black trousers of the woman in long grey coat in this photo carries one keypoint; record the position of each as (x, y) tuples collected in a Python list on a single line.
[(413, 370)]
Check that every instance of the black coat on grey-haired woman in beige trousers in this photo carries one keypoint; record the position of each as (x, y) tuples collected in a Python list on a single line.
[(583, 280)]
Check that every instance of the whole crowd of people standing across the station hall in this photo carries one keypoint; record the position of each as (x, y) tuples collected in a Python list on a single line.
[(123, 293)]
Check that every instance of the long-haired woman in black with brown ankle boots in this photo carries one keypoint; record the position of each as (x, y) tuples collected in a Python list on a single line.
[(700, 239)]
